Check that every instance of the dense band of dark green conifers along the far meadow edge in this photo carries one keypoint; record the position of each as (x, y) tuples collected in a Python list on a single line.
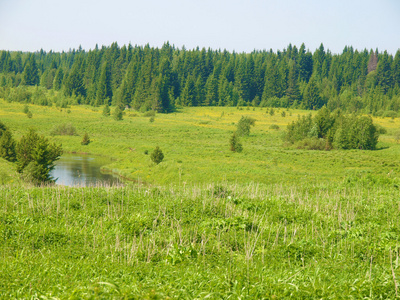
[(161, 79)]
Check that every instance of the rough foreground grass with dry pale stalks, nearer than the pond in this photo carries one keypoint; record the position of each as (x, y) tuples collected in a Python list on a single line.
[(221, 241)]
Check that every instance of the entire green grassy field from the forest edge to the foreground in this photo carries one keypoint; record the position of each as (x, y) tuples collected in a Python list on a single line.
[(271, 222)]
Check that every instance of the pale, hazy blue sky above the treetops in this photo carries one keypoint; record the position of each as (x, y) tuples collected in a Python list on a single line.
[(234, 25)]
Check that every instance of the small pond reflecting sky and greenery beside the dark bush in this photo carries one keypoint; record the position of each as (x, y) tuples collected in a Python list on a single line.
[(82, 170)]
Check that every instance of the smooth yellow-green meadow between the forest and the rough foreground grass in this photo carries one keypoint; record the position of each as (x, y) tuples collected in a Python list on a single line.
[(195, 142)]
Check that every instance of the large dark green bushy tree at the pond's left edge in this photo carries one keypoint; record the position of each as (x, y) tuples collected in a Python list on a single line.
[(36, 157)]
